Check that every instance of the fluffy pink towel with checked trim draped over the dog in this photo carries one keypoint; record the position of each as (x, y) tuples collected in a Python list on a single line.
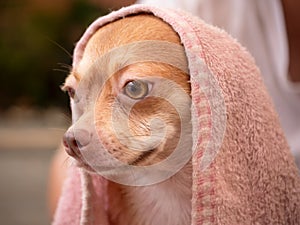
[(243, 171)]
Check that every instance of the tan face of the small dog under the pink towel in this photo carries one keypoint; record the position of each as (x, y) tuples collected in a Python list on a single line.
[(136, 110)]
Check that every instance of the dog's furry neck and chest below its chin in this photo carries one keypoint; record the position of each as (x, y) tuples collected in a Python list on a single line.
[(168, 202)]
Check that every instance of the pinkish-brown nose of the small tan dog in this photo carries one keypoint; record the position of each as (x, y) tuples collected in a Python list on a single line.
[(73, 141)]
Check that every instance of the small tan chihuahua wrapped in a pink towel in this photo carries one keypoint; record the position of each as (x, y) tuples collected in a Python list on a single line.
[(133, 120)]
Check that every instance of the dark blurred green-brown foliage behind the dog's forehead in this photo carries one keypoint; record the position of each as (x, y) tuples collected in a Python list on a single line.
[(35, 50)]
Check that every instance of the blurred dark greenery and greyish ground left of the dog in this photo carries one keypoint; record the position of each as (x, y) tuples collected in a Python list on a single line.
[(36, 43)]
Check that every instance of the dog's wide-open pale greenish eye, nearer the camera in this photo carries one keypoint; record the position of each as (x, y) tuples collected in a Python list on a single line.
[(136, 89)]
